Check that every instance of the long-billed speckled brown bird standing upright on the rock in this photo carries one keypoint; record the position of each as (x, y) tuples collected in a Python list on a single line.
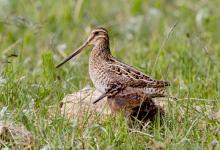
[(112, 77)]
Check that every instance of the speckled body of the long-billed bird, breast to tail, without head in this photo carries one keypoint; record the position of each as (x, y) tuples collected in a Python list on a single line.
[(105, 72)]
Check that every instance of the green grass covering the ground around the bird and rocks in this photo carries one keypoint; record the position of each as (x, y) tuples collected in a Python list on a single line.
[(173, 40)]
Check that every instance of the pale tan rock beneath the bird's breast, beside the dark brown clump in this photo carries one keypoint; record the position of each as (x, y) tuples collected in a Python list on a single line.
[(76, 104)]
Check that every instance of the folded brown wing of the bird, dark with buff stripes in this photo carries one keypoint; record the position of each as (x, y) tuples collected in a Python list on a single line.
[(135, 77)]
